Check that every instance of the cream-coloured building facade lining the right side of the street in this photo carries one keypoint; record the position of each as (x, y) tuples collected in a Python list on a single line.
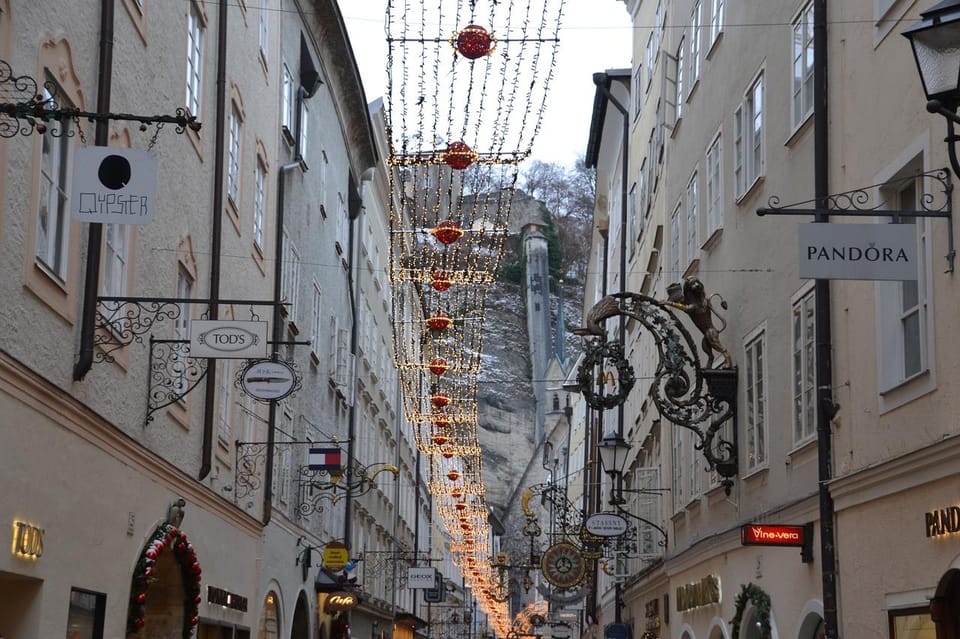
[(722, 120)]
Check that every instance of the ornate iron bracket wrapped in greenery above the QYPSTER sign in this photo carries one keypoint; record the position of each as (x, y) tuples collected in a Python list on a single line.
[(25, 109)]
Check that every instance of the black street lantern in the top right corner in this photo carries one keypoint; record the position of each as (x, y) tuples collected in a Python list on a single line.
[(936, 48)]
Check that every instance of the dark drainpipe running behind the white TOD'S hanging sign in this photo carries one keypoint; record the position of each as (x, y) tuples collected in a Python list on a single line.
[(210, 390)]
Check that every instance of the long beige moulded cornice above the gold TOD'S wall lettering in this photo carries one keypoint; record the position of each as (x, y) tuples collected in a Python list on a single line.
[(38, 394)]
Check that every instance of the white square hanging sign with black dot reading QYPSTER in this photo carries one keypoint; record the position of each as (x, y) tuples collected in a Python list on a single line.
[(113, 185)]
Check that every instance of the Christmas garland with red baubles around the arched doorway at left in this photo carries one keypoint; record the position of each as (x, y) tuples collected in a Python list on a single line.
[(166, 537)]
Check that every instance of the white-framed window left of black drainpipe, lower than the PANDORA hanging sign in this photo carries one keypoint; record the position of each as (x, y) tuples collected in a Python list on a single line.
[(803, 358)]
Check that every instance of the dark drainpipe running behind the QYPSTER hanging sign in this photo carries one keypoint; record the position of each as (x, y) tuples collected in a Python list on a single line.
[(91, 282)]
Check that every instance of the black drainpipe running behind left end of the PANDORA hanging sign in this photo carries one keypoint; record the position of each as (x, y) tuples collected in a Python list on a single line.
[(826, 409)]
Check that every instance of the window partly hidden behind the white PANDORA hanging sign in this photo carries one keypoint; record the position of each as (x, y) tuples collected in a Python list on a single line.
[(903, 310)]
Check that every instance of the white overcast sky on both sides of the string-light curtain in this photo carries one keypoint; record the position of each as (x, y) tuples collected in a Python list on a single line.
[(594, 36)]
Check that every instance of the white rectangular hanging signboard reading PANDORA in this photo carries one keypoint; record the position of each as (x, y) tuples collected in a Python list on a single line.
[(858, 251)]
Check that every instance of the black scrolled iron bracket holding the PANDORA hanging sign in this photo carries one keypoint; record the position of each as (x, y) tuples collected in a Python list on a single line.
[(936, 201)]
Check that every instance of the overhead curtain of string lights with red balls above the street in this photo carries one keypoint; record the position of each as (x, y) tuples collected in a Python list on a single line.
[(466, 94)]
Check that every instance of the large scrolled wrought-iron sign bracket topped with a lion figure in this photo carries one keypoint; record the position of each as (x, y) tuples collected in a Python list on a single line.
[(686, 392)]
